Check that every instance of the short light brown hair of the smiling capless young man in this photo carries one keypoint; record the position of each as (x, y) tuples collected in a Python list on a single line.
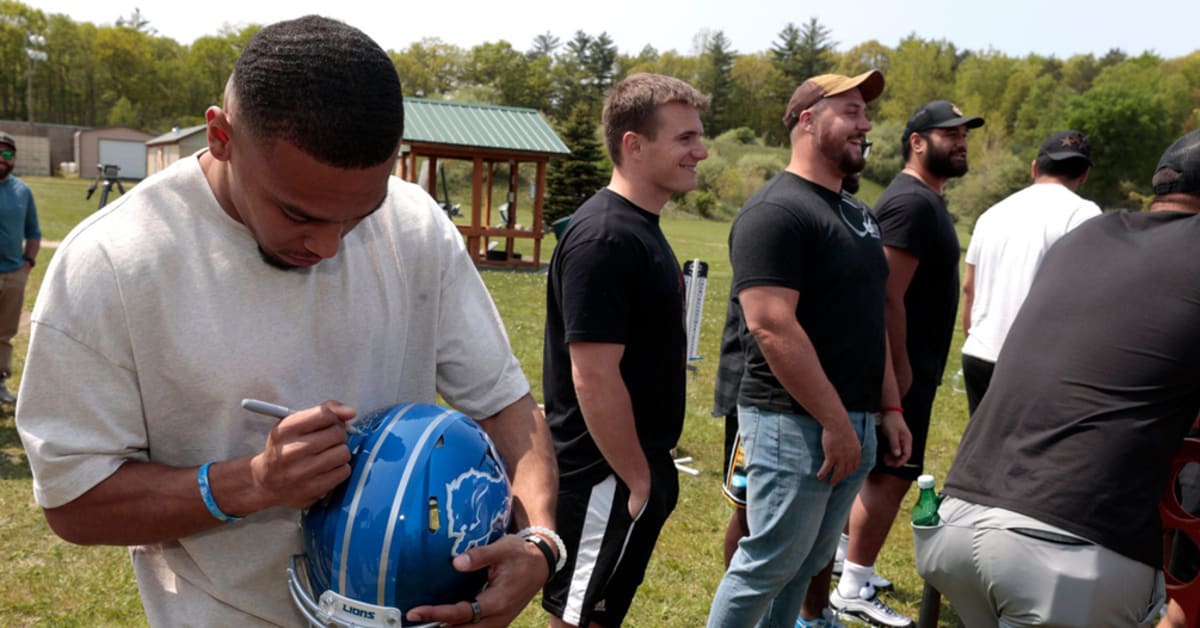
[(633, 106)]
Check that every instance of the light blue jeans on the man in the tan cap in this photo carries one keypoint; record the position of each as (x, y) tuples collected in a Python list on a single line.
[(795, 518)]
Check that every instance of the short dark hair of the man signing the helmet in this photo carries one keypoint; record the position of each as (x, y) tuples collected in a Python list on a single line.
[(326, 88)]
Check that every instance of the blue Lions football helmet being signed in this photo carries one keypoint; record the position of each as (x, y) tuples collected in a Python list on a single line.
[(427, 485)]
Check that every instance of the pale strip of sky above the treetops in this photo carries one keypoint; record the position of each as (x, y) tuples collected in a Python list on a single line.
[(1059, 28)]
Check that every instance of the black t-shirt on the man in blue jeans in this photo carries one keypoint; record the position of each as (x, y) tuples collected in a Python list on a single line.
[(797, 235)]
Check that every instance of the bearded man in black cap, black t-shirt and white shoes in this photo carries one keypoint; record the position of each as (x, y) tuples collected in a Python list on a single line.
[(922, 303)]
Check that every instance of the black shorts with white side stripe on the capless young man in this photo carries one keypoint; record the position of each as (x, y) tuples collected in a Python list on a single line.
[(608, 551)]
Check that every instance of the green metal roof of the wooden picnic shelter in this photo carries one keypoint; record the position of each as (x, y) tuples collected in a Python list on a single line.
[(481, 125)]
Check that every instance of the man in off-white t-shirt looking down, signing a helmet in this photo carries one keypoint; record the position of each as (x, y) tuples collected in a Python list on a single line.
[(159, 314)]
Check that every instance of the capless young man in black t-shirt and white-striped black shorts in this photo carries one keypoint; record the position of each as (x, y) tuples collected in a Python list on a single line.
[(616, 354)]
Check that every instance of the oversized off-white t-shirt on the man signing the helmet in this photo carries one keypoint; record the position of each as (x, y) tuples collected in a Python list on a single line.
[(158, 316)]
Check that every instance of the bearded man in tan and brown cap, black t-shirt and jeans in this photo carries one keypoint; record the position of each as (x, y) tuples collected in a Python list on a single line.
[(809, 276)]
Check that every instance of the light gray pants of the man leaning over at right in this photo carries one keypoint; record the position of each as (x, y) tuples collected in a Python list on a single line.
[(999, 578)]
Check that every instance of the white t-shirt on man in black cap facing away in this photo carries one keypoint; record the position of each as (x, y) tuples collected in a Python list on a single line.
[(1006, 250)]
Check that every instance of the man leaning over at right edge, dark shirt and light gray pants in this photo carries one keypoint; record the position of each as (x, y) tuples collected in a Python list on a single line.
[(1052, 505)]
